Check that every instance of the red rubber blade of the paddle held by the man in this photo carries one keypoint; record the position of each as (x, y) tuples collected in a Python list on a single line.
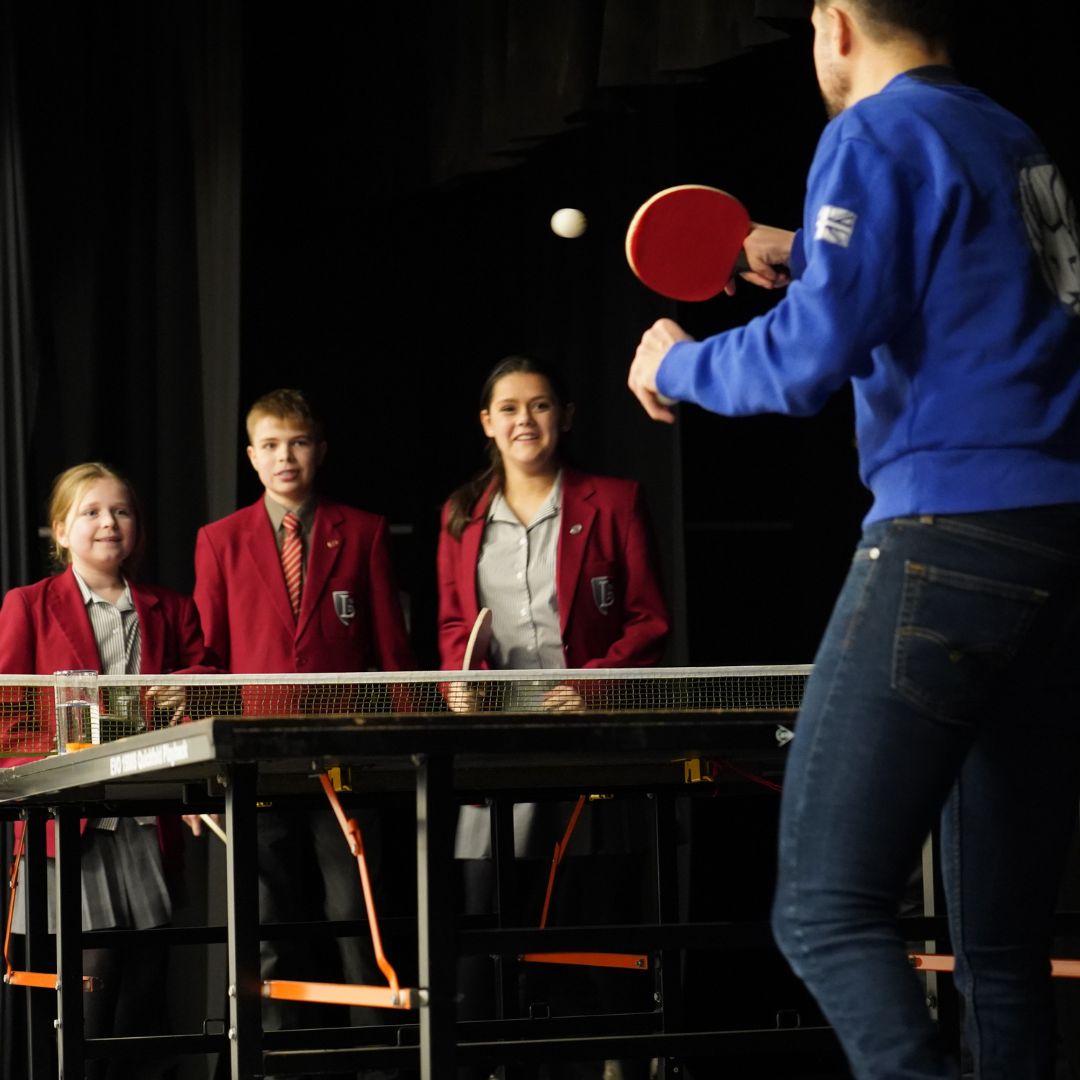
[(685, 242)]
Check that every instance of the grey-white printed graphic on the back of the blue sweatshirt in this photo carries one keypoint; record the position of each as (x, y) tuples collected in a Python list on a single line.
[(1050, 219)]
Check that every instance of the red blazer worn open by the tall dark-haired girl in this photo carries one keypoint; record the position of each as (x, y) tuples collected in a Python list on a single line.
[(611, 607)]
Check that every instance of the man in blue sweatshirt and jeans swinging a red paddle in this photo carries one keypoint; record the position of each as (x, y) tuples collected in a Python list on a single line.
[(938, 272)]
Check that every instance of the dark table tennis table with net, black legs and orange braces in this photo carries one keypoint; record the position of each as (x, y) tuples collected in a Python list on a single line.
[(663, 735)]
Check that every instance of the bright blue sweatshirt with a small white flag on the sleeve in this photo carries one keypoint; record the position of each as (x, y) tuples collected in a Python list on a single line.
[(938, 271)]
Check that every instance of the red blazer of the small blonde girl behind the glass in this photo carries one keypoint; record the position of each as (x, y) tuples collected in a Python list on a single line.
[(45, 628)]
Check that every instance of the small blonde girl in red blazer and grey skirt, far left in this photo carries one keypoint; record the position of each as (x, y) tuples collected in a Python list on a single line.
[(48, 627)]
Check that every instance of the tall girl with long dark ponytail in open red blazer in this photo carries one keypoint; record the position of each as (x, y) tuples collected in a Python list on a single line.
[(565, 563)]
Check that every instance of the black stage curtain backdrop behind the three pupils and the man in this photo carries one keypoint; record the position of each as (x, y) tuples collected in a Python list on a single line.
[(207, 200)]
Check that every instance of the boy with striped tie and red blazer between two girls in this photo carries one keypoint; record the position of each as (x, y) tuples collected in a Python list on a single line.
[(300, 585)]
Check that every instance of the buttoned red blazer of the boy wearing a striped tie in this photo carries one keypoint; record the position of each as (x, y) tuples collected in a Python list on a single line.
[(350, 617)]
